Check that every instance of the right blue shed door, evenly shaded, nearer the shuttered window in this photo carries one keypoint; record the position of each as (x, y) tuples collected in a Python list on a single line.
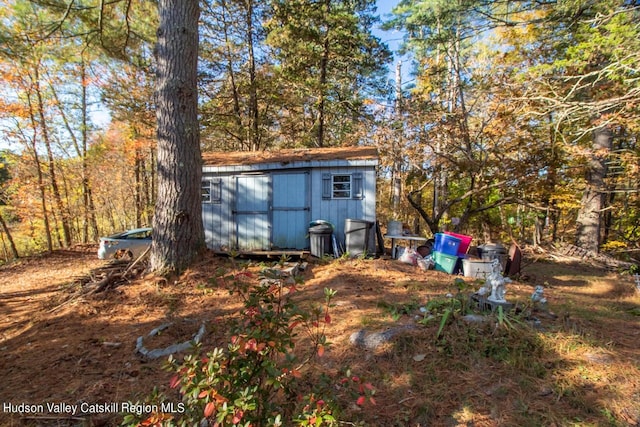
[(291, 210)]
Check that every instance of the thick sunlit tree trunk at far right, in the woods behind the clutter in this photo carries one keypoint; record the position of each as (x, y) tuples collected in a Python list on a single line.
[(589, 217)]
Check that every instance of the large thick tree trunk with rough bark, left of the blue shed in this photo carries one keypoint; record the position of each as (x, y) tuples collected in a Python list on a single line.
[(177, 223)]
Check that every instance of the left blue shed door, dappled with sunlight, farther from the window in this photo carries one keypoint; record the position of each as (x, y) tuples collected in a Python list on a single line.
[(252, 212)]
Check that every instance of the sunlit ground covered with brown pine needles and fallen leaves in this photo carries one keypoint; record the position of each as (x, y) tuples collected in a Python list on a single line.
[(59, 346)]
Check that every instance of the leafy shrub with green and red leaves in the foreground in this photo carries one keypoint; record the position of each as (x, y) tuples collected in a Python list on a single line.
[(257, 379)]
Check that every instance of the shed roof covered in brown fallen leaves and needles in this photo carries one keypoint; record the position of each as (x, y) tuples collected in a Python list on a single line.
[(287, 157)]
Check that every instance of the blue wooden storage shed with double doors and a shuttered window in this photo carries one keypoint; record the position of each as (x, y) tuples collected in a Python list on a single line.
[(265, 201)]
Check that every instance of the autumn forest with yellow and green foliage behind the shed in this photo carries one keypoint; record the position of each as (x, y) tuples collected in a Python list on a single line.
[(521, 119)]
